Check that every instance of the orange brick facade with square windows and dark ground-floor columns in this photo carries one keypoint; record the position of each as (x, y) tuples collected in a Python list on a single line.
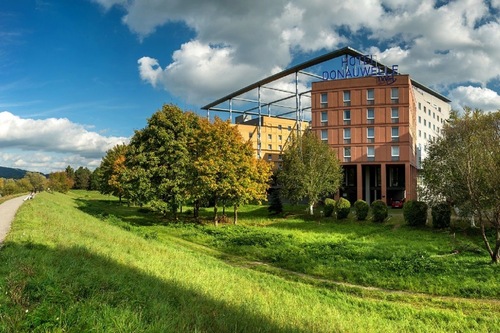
[(372, 127)]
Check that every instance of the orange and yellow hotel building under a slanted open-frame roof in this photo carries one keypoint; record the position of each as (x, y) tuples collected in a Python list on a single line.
[(377, 120)]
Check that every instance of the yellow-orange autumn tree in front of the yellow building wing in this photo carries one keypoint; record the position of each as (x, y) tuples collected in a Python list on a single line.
[(224, 167)]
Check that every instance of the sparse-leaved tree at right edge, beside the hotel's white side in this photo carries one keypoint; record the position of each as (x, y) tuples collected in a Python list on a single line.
[(463, 166)]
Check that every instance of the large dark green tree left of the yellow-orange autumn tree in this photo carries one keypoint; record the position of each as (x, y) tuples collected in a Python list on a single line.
[(158, 160)]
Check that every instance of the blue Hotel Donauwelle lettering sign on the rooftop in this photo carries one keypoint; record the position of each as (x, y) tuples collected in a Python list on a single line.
[(362, 66)]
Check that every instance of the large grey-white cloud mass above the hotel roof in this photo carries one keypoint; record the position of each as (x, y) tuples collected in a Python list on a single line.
[(441, 44)]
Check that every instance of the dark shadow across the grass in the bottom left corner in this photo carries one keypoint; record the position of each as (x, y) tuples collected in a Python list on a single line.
[(74, 290)]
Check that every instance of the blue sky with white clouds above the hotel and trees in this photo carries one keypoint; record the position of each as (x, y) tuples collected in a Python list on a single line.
[(78, 77)]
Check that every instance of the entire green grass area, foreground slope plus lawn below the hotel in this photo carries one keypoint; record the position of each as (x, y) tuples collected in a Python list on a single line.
[(81, 262)]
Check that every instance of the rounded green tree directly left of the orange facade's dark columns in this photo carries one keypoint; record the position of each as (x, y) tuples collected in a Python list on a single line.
[(310, 170)]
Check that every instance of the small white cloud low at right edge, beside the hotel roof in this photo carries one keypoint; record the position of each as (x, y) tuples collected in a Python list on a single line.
[(475, 97)]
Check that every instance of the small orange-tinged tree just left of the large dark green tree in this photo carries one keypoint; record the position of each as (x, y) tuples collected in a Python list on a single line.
[(112, 170)]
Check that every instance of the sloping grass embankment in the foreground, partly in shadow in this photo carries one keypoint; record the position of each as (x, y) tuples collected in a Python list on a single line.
[(65, 270)]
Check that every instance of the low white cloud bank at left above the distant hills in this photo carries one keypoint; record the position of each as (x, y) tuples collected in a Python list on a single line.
[(50, 144)]
